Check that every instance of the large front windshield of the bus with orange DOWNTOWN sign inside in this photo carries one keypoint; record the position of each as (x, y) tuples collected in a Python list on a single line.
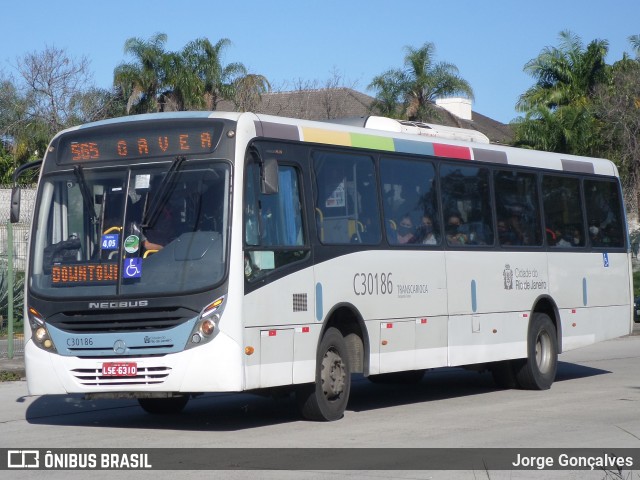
[(152, 229)]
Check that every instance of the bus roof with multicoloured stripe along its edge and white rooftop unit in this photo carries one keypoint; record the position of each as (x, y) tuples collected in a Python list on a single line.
[(385, 134)]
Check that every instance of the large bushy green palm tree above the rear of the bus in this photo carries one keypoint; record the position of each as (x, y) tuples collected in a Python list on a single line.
[(558, 108)]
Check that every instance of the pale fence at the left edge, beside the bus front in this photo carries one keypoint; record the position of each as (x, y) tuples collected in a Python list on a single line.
[(20, 241)]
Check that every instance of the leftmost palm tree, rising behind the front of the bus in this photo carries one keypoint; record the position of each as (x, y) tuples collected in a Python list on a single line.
[(143, 80)]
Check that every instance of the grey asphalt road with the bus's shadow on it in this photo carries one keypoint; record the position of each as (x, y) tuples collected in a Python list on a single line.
[(594, 403)]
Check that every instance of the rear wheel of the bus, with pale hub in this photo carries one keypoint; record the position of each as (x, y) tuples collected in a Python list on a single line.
[(538, 371)]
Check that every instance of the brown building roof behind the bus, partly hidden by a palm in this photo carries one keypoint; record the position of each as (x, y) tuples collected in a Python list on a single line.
[(332, 103)]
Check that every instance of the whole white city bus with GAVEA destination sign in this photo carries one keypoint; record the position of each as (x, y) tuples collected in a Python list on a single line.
[(182, 253)]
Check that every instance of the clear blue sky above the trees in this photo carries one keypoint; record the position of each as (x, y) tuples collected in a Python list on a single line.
[(311, 42)]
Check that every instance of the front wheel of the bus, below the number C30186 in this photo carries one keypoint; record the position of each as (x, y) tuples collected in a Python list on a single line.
[(326, 399)]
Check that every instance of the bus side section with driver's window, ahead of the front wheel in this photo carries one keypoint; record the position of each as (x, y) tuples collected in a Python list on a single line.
[(279, 297)]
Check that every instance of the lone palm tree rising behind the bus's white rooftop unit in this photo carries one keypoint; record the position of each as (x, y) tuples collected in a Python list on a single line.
[(419, 84)]
